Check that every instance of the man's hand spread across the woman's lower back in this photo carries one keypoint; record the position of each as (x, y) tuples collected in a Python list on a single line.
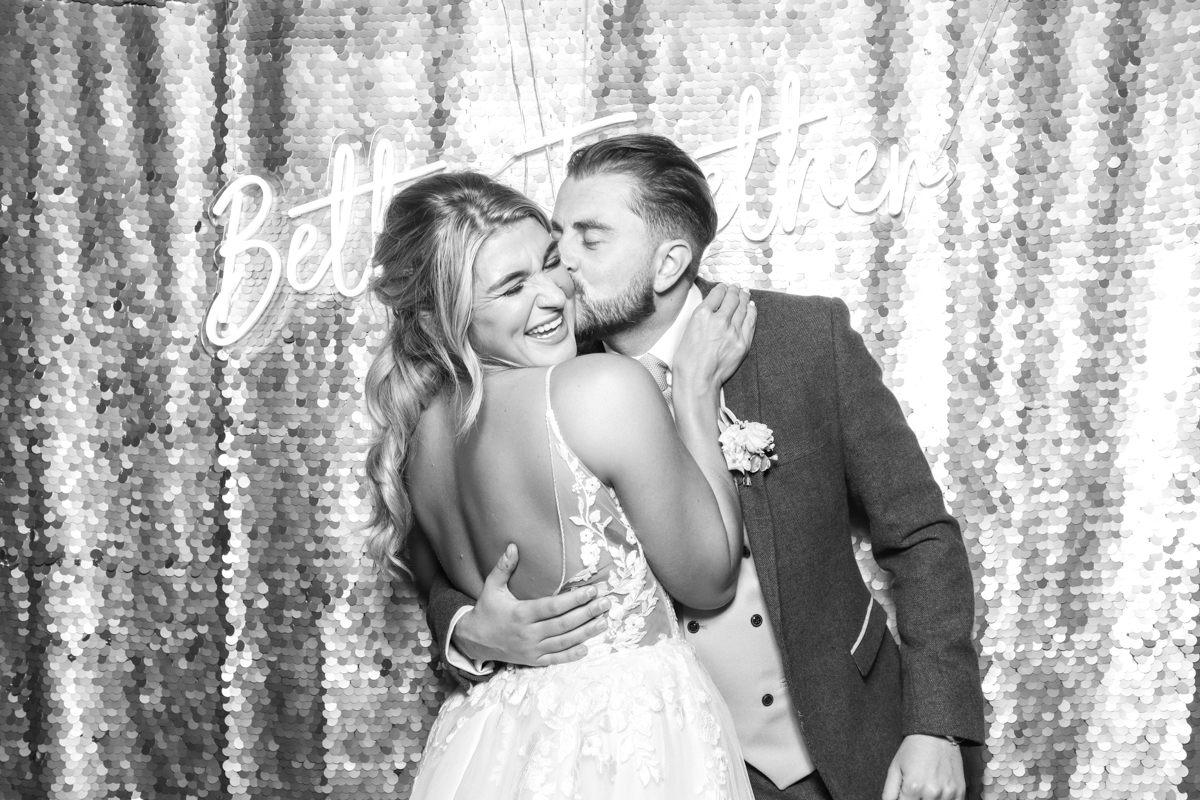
[(531, 633)]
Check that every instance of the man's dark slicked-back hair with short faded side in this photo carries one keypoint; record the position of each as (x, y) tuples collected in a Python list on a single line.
[(673, 195)]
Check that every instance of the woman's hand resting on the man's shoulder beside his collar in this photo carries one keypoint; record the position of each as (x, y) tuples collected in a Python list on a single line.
[(716, 341)]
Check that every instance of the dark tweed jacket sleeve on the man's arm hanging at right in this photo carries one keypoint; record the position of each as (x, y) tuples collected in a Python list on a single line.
[(916, 540)]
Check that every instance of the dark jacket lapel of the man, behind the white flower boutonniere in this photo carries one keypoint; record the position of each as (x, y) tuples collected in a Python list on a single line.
[(742, 398)]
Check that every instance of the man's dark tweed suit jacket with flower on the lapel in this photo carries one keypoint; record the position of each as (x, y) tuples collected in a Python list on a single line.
[(844, 449)]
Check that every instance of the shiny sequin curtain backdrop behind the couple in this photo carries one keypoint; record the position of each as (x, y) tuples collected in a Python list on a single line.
[(185, 607)]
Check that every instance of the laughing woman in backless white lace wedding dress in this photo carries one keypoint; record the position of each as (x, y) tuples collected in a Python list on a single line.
[(491, 431)]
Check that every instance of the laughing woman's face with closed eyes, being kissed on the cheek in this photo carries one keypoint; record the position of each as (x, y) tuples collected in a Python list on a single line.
[(525, 300)]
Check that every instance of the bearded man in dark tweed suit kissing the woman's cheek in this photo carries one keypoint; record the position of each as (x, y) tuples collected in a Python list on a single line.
[(825, 702)]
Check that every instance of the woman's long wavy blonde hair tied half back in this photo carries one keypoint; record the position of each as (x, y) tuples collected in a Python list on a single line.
[(425, 257)]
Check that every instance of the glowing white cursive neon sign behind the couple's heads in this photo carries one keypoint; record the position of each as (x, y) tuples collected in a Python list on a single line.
[(245, 231)]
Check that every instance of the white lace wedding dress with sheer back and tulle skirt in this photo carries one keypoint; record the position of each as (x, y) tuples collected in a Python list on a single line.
[(638, 719)]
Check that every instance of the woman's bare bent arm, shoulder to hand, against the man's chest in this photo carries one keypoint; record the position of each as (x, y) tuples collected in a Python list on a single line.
[(671, 479)]
